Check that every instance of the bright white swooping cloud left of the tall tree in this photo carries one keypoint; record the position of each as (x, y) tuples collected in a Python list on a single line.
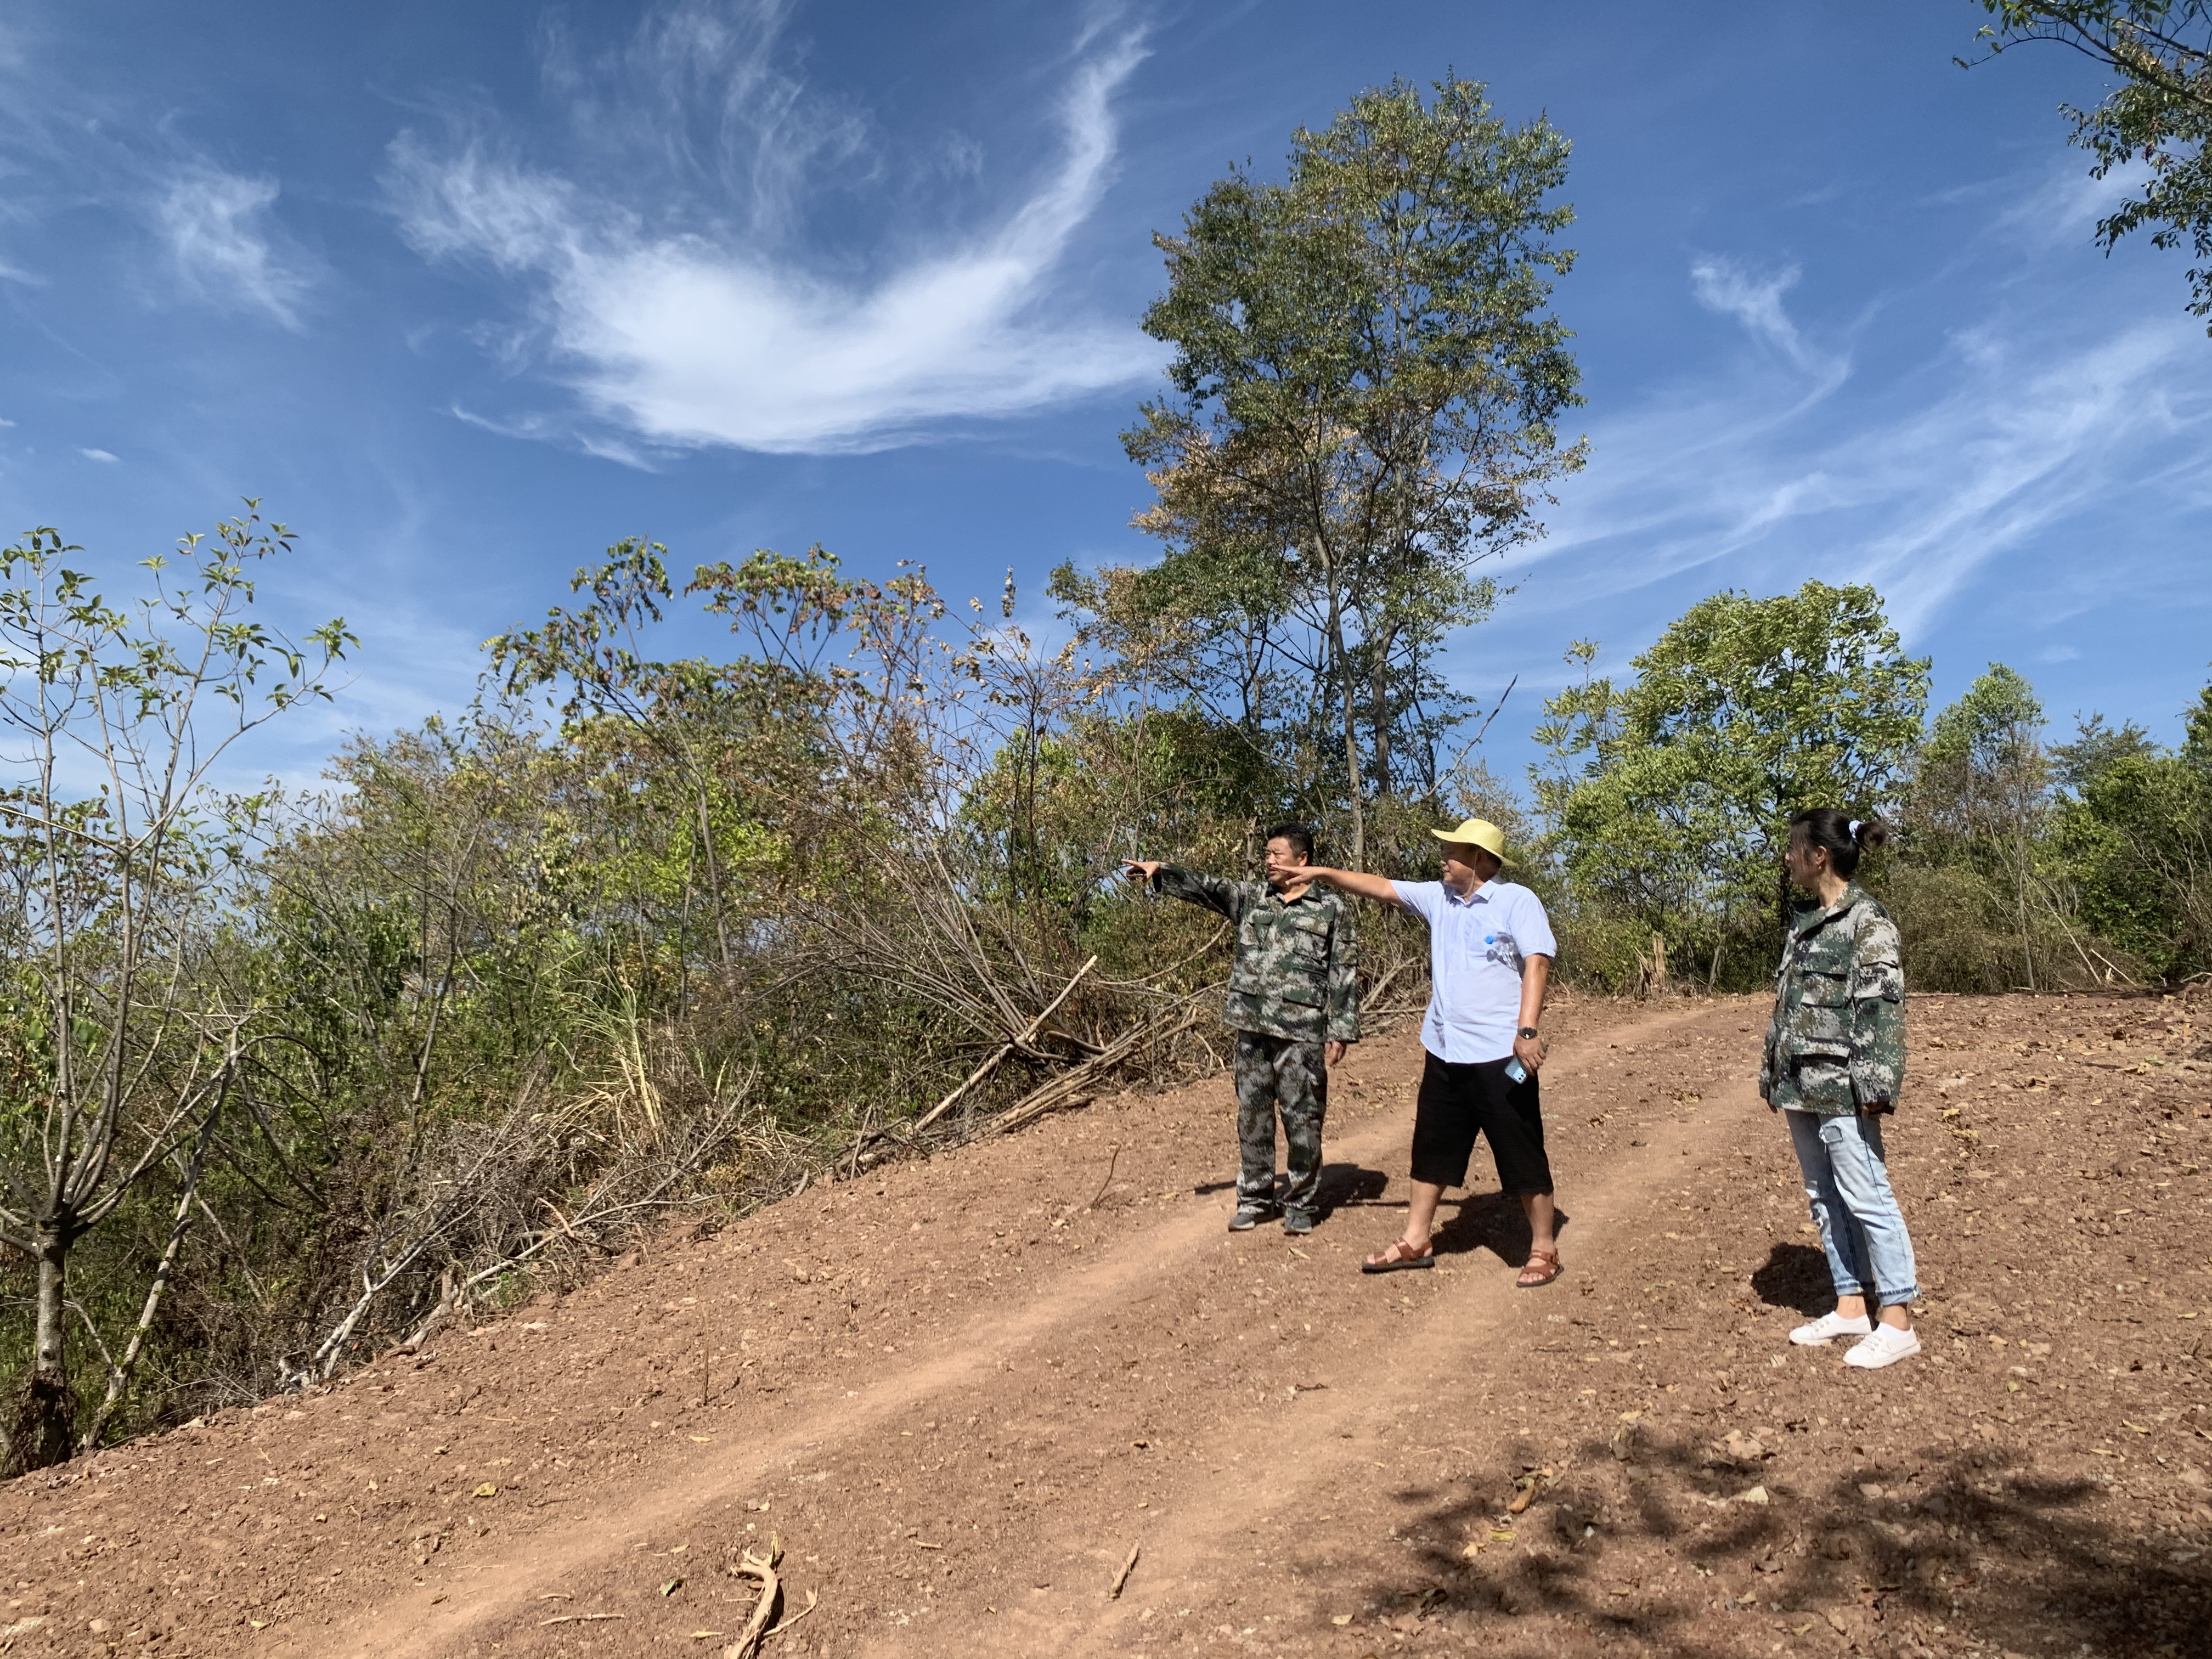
[(696, 333)]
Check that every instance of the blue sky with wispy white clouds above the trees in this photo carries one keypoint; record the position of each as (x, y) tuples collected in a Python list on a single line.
[(468, 293)]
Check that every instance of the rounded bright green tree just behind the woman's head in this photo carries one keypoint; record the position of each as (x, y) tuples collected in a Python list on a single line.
[(1742, 713)]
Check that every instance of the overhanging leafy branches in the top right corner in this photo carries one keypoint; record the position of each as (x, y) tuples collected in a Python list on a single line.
[(2160, 114)]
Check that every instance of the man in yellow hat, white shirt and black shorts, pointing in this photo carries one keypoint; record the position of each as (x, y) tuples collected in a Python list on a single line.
[(1490, 961)]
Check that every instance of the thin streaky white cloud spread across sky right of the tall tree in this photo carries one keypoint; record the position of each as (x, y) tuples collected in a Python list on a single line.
[(2005, 446)]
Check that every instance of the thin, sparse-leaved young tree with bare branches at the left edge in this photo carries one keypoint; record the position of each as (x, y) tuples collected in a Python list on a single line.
[(118, 864)]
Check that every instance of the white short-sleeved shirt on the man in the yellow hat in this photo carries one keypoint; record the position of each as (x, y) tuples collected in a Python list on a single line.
[(1477, 952)]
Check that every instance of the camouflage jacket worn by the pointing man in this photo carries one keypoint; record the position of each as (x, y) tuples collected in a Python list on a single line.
[(1297, 961)]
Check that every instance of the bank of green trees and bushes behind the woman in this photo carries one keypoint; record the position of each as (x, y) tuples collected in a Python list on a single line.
[(2016, 864)]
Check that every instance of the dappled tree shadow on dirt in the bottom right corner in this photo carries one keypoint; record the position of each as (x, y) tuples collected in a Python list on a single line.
[(1704, 1550)]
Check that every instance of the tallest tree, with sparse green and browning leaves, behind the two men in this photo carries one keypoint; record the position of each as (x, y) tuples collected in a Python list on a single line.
[(1366, 397)]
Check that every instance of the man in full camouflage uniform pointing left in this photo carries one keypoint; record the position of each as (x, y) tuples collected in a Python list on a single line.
[(1295, 1003)]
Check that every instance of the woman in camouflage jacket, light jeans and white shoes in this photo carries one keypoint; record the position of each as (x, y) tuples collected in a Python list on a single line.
[(1833, 1070)]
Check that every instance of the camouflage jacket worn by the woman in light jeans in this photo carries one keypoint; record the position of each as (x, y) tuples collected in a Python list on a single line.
[(1837, 1039)]
